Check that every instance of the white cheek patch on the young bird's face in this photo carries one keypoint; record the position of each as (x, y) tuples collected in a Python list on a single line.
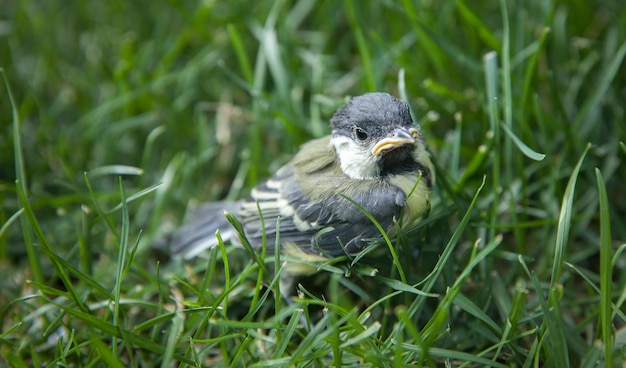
[(355, 161)]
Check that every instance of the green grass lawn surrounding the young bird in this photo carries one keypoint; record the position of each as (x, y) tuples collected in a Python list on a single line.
[(119, 116)]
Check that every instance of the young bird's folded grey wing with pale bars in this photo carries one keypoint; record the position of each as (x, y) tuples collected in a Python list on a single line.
[(310, 196)]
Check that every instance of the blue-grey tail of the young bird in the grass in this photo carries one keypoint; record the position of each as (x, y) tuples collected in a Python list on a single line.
[(198, 233)]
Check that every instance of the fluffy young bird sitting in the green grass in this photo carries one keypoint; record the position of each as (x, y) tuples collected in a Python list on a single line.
[(375, 162)]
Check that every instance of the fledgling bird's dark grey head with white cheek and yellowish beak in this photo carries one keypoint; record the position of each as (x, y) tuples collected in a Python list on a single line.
[(374, 134)]
